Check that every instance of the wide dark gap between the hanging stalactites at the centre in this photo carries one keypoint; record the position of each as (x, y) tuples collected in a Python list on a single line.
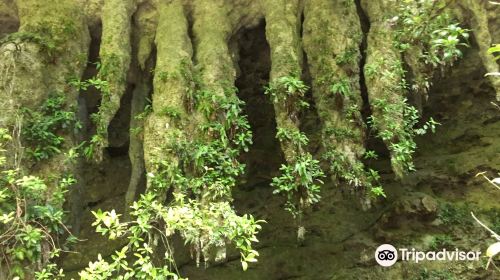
[(264, 157)]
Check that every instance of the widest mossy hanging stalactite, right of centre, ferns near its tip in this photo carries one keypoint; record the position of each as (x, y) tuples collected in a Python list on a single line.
[(335, 88)]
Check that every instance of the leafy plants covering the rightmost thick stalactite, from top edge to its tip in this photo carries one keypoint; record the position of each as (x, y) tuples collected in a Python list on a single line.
[(427, 34)]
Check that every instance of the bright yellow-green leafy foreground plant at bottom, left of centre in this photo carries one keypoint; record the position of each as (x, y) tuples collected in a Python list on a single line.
[(188, 218)]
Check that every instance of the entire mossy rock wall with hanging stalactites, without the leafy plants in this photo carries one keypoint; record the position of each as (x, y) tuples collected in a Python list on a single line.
[(158, 55)]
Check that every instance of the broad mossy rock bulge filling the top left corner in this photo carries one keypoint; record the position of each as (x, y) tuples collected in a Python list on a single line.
[(50, 47)]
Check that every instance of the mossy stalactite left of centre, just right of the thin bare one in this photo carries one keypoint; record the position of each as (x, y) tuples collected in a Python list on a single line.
[(173, 51)]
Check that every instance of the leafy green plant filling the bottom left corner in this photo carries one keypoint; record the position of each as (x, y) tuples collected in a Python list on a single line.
[(31, 219)]
